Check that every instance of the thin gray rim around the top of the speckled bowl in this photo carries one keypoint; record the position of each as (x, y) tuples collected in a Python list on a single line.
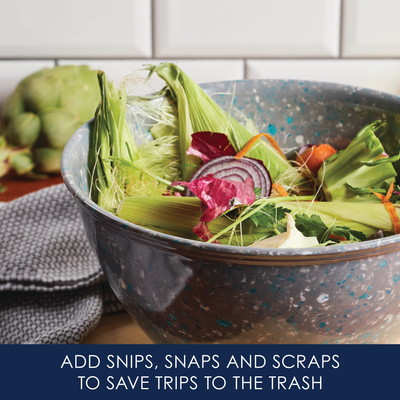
[(312, 252)]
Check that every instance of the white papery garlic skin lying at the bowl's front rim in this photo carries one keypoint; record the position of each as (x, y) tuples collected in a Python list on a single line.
[(291, 239)]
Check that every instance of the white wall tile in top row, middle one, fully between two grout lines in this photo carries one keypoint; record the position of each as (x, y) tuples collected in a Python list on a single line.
[(255, 28)]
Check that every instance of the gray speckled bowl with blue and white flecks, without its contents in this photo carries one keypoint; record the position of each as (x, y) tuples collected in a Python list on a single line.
[(183, 291)]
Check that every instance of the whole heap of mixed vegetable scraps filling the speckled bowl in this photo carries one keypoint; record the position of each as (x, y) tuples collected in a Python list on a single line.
[(190, 169)]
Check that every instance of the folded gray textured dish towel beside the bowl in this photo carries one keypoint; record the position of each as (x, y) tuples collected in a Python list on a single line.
[(52, 289)]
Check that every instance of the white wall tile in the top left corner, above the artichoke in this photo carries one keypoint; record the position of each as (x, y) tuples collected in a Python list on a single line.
[(76, 28)]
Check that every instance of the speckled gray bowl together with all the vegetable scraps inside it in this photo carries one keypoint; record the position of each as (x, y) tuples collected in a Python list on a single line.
[(251, 211)]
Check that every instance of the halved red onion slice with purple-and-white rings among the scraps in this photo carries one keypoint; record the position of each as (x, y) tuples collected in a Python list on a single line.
[(228, 167)]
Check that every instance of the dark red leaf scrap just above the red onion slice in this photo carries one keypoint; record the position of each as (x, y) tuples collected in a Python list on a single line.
[(210, 145)]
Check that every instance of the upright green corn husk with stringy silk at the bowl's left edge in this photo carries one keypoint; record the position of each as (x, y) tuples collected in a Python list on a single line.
[(117, 166)]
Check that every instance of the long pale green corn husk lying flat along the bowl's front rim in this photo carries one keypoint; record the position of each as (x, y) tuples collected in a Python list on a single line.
[(178, 215)]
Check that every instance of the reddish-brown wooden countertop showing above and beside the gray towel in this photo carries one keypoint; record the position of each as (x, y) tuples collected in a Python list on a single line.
[(112, 329)]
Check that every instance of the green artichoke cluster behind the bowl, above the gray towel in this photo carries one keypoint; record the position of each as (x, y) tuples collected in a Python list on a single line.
[(40, 116)]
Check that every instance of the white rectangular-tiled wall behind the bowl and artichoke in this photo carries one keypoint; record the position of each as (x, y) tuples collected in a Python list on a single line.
[(356, 42)]
